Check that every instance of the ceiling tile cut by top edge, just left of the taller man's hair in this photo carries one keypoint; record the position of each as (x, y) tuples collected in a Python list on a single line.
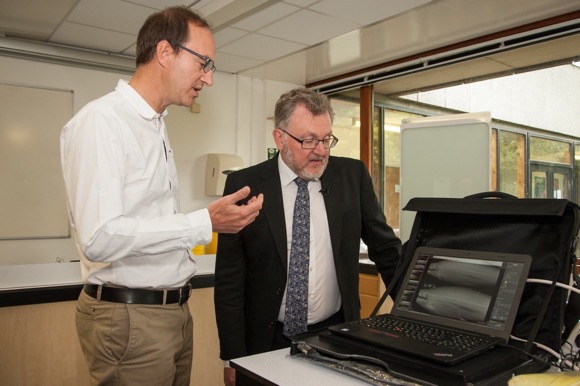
[(114, 15)]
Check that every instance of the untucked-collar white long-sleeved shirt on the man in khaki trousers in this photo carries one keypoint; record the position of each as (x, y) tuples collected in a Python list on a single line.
[(123, 198)]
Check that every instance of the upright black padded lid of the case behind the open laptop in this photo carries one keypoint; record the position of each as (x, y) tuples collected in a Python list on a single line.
[(545, 229)]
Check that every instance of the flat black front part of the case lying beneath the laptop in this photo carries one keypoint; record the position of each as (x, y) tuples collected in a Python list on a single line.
[(386, 367)]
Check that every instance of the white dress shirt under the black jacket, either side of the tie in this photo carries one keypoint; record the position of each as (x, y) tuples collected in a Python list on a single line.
[(323, 293)]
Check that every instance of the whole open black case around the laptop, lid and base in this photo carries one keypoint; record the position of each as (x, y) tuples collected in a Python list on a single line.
[(545, 229)]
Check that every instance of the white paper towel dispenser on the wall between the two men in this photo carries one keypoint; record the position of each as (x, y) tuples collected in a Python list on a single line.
[(217, 167)]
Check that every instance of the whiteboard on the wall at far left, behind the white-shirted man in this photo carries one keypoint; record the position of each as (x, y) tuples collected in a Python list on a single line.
[(32, 195)]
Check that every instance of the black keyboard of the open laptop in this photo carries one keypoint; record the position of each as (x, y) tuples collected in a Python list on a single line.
[(424, 333)]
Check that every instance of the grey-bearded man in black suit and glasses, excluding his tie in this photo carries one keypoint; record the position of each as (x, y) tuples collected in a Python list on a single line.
[(251, 266)]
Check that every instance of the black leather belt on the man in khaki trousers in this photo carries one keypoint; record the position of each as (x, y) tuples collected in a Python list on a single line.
[(138, 296)]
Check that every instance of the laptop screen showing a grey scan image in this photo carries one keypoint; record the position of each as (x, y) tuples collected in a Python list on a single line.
[(472, 290)]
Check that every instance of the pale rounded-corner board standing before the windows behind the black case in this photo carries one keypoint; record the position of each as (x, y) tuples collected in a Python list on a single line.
[(443, 156)]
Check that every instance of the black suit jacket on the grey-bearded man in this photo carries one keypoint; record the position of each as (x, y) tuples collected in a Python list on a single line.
[(250, 273)]
